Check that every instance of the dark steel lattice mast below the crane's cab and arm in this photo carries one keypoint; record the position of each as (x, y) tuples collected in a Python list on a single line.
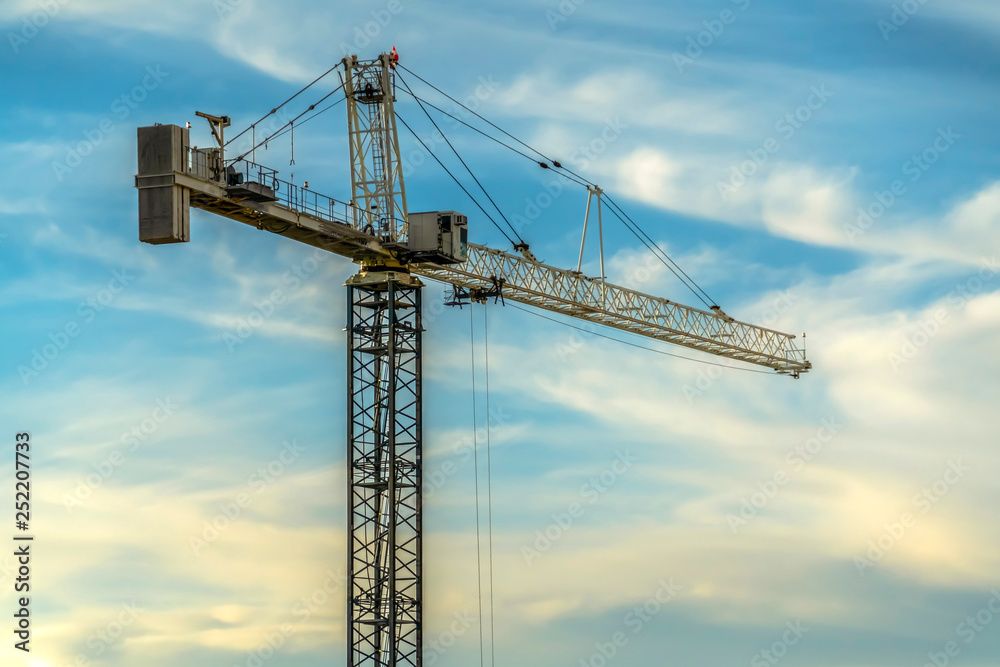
[(384, 470)]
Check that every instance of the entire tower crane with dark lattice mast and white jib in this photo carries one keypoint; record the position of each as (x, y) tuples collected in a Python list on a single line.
[(396, 250)]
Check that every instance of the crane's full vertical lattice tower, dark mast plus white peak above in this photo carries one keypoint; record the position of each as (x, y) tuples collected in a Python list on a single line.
[(384, 391)]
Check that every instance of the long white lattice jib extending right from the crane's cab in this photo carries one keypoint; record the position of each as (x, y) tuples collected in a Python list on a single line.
[(576, 295)]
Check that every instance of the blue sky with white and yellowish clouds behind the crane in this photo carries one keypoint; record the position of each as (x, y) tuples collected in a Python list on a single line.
[(843, 520)]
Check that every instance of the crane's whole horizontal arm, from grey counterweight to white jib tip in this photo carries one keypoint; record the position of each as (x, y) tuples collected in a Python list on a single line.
[(191, 178)]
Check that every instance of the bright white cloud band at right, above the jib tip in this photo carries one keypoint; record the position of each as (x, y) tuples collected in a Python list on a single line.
[(808, 204)]
